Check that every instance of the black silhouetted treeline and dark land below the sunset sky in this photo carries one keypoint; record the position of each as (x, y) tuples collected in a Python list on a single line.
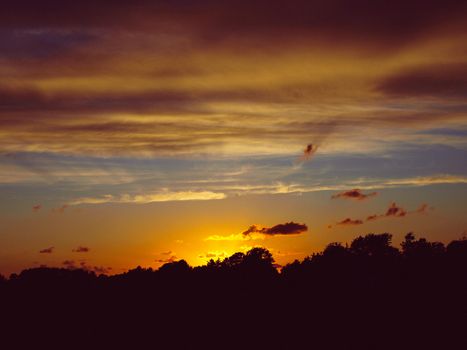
[(369, 295)]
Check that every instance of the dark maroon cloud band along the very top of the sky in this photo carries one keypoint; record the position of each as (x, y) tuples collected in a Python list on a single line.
[(381, 22)]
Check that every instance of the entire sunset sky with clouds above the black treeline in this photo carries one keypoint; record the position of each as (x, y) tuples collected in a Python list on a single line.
[(143, 132)]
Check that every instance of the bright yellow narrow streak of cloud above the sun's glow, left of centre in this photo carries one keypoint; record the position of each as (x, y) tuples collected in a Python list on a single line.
[(164, 196)]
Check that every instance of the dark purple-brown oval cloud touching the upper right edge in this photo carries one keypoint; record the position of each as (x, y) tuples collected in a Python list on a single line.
[(440, 80)]
